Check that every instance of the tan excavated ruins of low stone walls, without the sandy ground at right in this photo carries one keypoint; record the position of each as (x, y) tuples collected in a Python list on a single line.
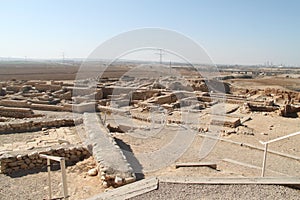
[(101, 109)]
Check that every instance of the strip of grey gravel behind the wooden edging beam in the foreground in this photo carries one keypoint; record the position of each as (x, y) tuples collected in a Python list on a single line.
[(193, 191)]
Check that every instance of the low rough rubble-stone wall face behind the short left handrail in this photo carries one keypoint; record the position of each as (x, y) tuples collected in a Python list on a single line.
[(13, 163)]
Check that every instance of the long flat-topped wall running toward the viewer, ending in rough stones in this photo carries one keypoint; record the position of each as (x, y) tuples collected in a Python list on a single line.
[(112, 164)]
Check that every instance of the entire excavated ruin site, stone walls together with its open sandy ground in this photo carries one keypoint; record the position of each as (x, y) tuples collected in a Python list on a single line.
[(117, 119)]
